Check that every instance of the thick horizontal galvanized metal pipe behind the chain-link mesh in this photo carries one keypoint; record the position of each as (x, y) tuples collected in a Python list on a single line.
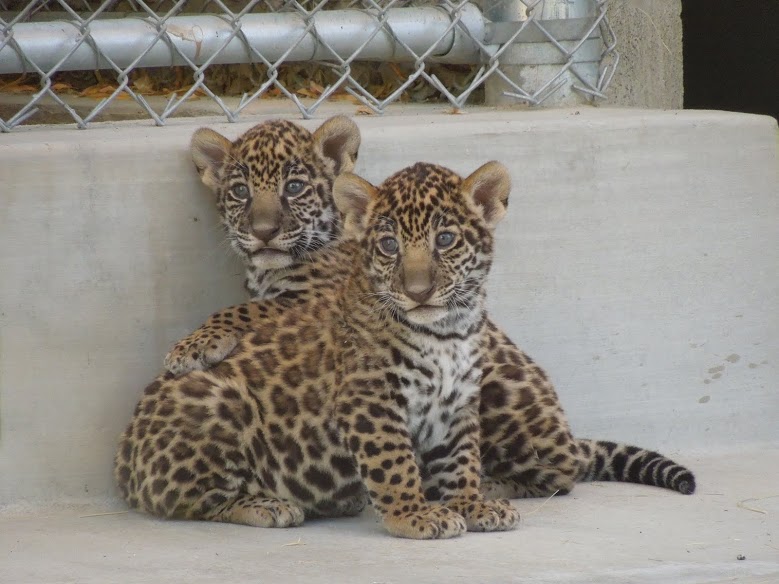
[(202, 38)]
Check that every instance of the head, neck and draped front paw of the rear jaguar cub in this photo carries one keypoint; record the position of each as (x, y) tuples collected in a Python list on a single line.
[(274, 194)]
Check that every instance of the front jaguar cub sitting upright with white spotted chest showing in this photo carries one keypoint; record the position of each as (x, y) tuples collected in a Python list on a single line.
[(371, 387)]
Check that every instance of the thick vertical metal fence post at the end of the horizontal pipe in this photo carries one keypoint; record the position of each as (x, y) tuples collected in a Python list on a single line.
[(532, 65)]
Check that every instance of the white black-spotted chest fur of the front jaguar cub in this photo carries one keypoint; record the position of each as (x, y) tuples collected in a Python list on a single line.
[(444, 380)]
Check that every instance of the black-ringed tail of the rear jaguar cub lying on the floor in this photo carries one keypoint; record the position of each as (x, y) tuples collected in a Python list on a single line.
[(609, 461)]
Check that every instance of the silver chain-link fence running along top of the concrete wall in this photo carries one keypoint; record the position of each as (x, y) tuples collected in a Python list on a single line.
[(82, 59)]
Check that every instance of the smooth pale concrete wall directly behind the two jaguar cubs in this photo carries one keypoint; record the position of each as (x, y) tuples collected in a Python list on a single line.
[(638, 264)]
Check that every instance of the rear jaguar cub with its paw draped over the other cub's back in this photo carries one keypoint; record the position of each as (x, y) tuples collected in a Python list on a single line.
[(277, 180)]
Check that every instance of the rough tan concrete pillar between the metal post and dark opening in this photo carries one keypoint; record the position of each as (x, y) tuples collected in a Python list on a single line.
[(649, 41)]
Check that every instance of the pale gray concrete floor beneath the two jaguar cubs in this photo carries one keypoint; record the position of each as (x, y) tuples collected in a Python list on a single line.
[(603, 533)]
